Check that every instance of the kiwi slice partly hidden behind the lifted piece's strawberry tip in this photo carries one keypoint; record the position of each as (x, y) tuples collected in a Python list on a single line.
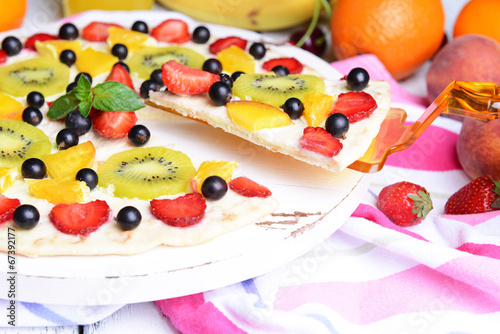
[(145, 61)]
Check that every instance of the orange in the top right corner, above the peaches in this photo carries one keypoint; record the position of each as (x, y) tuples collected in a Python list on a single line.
[(478, 17)]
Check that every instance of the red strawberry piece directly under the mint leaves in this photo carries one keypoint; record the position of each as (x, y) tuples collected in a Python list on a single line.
[(113, 124)]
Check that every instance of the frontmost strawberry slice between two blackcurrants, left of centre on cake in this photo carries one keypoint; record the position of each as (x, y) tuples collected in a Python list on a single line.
[(79, 218)]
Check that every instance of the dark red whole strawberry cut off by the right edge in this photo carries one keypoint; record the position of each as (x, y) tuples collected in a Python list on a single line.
[(478, 196)]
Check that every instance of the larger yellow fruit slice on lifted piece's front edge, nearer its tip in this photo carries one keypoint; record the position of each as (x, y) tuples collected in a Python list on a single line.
[(255, 116)]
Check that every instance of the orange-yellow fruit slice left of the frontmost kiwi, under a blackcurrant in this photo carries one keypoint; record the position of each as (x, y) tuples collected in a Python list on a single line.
[(64, 165)]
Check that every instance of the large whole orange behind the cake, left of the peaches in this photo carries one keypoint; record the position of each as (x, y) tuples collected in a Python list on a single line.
[(403, 34)]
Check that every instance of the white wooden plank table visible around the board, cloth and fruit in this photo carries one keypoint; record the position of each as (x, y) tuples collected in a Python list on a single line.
[(146, 317)]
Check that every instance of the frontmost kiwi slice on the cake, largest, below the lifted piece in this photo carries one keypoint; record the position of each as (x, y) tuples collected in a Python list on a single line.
[(146, 173)]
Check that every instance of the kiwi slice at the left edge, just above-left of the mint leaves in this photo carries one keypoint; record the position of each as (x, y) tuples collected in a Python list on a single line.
[(43, 74)]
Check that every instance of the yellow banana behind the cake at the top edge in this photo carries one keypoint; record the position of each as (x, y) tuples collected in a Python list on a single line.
[(257, 15)]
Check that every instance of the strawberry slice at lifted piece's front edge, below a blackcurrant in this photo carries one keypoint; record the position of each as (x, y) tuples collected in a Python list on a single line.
[(319, 140)]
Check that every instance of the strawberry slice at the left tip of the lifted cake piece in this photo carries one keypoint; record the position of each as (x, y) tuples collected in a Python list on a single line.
[(182, 79)]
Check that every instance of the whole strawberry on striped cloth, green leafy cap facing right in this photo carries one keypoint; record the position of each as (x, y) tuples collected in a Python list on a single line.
[(405, 203)]
